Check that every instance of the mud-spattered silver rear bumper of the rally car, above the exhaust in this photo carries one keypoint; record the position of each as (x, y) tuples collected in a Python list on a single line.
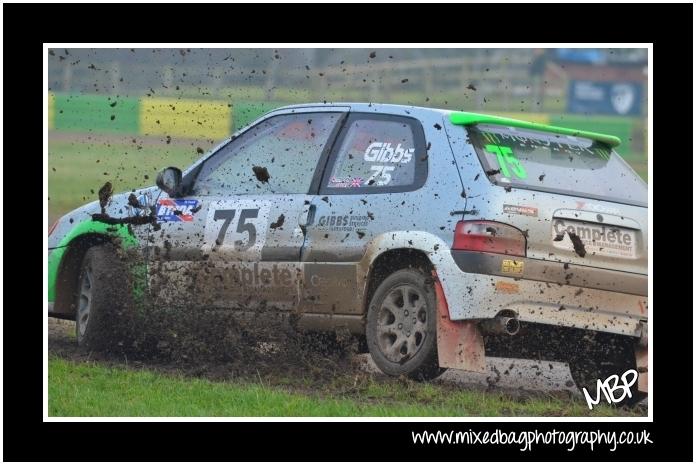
[(546, 292)]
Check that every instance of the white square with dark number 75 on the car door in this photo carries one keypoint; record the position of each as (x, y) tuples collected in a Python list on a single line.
[(236, 227)]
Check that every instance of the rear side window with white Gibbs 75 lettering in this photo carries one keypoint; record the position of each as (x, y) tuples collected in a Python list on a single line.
[(377, 153)]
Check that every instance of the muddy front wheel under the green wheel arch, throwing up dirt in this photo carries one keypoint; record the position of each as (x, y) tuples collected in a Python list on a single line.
[(103, 300)]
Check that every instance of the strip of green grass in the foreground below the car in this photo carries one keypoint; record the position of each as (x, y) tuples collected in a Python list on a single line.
[(91, 389)]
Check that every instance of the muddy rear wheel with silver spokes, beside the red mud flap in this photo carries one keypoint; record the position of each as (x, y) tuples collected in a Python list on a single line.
[(401, 326)]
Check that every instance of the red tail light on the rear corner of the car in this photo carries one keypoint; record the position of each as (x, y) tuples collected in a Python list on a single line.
[(489, 236)]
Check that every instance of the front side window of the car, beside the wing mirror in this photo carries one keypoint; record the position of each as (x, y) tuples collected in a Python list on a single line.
[(277, 156)]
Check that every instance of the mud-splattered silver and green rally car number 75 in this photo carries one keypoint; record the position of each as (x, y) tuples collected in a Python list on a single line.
[(437, 235)]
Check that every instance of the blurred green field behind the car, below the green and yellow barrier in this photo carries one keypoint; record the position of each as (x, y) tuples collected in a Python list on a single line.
[(79, 164)]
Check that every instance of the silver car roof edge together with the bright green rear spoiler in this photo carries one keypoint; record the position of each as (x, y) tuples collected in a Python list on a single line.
[(462, 118)]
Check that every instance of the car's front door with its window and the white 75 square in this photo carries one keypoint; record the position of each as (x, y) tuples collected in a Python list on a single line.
[(234, 239)]
